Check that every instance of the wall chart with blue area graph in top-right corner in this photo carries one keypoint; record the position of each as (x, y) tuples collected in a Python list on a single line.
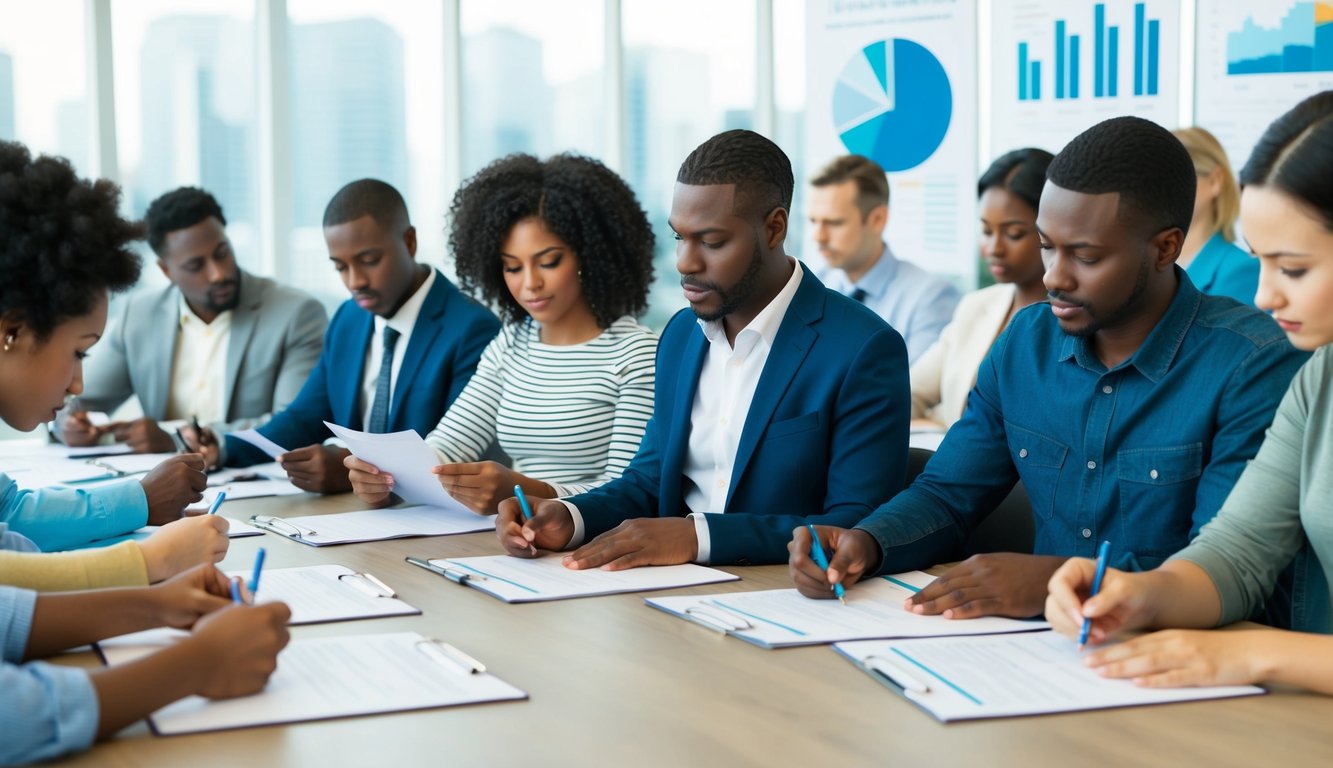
[(1256, 59)]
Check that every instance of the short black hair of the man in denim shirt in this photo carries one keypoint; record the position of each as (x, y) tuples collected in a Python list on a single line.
[(1139, 159)]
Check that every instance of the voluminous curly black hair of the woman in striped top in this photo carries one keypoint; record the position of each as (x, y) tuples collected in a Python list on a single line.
[(583, 203)]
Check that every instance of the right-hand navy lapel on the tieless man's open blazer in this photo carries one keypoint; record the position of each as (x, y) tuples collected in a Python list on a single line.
[(791, 346)]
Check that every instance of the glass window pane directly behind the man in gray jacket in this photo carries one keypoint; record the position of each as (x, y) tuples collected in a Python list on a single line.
[(186, 107)]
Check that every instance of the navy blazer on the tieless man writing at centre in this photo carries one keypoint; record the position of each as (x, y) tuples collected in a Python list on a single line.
[(826, 439)]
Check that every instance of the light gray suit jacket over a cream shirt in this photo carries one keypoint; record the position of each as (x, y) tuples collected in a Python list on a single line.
[(277, 338)]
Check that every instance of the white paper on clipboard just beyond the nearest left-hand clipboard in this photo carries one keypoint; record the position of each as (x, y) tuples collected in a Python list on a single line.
[(319, 594)]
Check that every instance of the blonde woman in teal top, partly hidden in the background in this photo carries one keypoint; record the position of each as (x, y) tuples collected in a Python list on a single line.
[(1210, 255)]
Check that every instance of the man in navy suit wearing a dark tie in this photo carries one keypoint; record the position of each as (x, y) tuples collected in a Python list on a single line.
[(395, 355)]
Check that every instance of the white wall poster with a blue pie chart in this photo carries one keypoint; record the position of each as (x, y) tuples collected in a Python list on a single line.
[(895, 81)]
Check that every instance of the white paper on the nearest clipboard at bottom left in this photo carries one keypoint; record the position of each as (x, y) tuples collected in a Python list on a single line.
[(322, 678)]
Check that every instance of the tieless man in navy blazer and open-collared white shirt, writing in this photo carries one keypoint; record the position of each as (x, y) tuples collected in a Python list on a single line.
[(779, 402)]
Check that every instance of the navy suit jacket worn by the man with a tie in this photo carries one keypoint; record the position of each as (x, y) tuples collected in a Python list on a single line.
[(447, 342)]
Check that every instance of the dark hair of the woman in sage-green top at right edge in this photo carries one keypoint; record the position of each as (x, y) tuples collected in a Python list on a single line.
[(1296, 155)]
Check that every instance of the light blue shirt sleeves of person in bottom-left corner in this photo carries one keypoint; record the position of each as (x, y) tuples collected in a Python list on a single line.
[(46, 711)]
